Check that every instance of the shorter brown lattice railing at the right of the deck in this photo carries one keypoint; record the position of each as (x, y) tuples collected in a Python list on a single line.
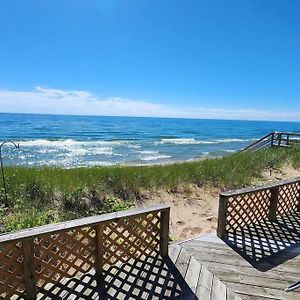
[(244, 207)]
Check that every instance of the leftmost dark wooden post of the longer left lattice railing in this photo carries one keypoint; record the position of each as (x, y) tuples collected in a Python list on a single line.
[(29, 269)]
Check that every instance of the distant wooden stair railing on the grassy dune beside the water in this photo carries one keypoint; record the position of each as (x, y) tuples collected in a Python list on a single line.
[(274, 139)]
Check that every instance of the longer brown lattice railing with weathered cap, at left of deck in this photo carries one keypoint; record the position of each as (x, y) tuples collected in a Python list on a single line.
[(35, 260)]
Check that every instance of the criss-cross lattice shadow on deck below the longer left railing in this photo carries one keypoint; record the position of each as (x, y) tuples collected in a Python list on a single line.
[(153, 278)]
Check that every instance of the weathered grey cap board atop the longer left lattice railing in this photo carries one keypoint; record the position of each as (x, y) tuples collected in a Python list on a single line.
[(68, 225)]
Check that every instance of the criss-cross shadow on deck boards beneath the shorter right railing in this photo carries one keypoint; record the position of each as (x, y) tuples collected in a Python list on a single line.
[(267, 244)]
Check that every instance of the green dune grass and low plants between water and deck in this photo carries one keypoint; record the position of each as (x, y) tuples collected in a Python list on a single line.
[(44, 195)]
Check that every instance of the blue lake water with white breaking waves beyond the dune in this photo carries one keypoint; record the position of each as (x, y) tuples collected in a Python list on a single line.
[(70, 141)]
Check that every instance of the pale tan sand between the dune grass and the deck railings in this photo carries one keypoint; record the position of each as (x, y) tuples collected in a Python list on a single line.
[(194, 209)]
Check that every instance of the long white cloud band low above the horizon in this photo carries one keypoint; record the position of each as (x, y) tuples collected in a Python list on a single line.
[(57, 101)]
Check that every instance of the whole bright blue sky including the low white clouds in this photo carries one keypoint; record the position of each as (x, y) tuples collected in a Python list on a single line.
[(234, 59)]
